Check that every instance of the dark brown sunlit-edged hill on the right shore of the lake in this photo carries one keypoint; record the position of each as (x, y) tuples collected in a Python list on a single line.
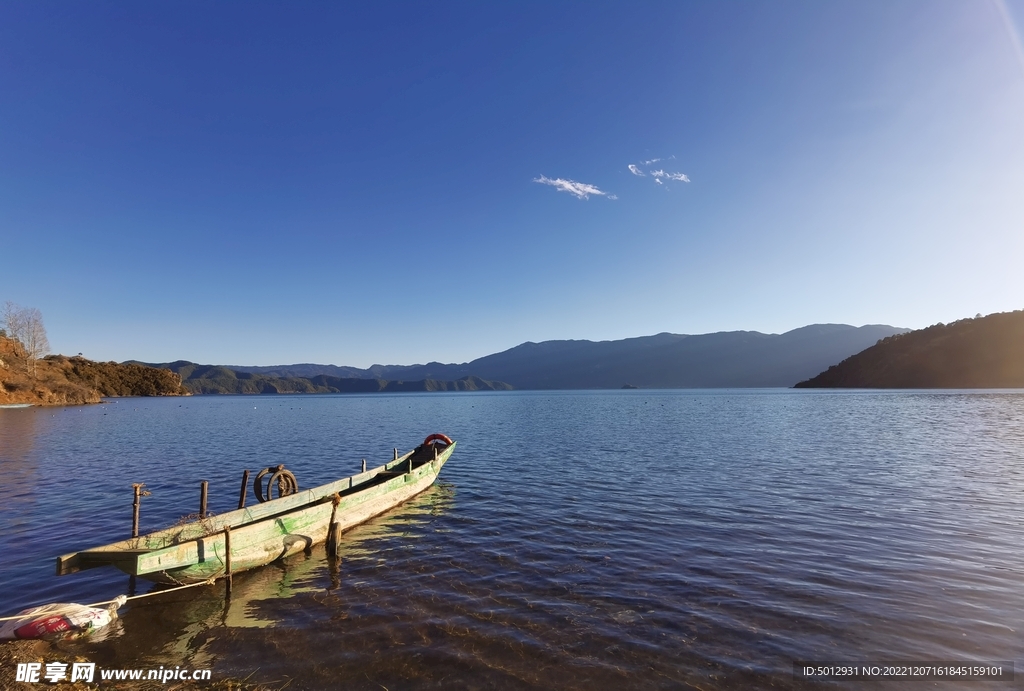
[(982, 354)]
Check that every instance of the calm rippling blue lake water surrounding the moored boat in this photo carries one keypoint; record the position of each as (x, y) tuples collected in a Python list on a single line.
[(702, 539)]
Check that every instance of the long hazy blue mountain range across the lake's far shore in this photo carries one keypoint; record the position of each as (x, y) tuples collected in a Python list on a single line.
[(741, 359)]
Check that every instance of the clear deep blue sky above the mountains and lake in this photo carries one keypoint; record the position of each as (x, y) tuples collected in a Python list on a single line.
[(259, 184)]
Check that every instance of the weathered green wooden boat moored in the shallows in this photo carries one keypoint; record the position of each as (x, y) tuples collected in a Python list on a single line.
[(257, 536)]
